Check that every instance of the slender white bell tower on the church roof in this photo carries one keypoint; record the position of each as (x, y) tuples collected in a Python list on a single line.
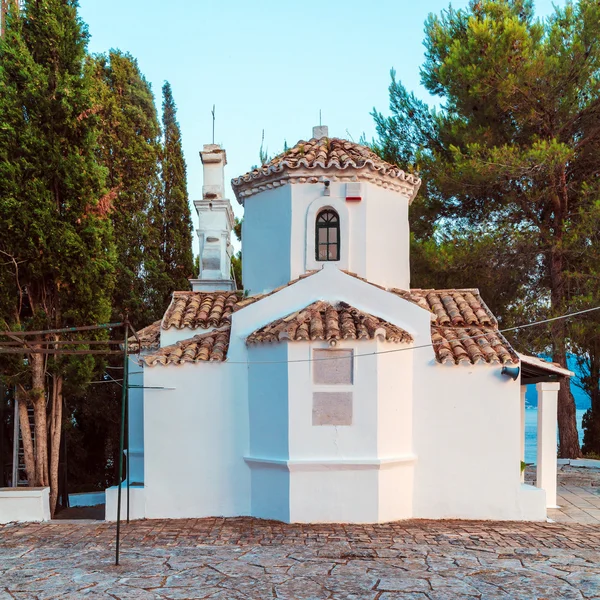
[(215, 222)]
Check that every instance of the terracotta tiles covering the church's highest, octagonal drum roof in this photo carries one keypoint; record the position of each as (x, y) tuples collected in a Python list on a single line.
[(324, 154)]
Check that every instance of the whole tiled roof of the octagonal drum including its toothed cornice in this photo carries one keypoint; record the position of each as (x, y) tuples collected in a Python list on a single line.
[(309, 160)]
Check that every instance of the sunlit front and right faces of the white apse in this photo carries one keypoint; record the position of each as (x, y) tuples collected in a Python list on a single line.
[(363, 472)]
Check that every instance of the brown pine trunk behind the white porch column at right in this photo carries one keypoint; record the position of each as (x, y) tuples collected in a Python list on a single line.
[(567, 419)]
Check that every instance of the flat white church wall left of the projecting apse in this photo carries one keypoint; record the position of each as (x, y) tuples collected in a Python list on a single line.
[(195, 439)]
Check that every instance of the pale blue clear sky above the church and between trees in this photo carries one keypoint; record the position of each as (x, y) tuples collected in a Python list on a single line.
[(268, 65)]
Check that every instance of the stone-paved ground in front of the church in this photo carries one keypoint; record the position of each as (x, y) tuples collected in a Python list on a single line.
[(231, 559)]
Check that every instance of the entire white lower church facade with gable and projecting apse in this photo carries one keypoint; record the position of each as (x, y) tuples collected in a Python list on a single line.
[(458, 453)]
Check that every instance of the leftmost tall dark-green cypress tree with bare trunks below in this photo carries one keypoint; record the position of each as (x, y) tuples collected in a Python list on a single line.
[(55, 231)]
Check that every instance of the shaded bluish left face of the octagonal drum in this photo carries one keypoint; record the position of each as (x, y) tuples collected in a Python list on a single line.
[(266, 240)]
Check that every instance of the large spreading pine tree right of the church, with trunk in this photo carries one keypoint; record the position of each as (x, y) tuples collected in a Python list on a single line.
[(517, 140)]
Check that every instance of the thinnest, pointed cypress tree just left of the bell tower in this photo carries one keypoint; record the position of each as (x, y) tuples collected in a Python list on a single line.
[(175, 218)]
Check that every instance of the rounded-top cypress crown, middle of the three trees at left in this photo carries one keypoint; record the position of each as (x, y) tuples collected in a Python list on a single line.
[(130, 151)]
